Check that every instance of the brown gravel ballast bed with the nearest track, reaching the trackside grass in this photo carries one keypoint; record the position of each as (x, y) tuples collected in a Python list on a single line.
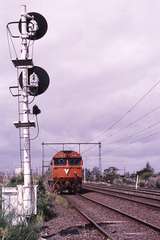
[(94, 219)]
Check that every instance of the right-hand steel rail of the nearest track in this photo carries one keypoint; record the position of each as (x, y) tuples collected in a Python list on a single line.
[(154, 227)]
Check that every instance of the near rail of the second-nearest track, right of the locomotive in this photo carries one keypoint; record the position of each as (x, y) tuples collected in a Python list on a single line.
[(98, 190)]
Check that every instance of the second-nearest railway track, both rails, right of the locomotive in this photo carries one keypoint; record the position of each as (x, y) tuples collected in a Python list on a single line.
[(145, 200)]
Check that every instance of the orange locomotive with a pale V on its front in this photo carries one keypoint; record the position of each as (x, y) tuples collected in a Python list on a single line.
[(66, 171)]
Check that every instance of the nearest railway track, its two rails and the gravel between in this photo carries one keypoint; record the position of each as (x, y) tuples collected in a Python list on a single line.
[(138, 222)]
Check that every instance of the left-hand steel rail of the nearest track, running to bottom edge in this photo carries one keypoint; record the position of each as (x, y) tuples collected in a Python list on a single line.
[(97, 226)]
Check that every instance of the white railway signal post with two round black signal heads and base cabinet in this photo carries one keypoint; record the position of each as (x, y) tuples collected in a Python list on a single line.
[(32, 81)]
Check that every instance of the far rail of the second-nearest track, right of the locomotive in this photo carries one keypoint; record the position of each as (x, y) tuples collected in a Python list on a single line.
[(125, 192)]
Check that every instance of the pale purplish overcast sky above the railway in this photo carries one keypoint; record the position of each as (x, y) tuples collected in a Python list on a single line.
[(102, 58)]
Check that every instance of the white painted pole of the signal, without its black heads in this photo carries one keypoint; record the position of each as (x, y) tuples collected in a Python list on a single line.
[(27, 197)]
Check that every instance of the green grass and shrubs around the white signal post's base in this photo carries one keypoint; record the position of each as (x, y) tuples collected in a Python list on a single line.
[(30, 229)]
